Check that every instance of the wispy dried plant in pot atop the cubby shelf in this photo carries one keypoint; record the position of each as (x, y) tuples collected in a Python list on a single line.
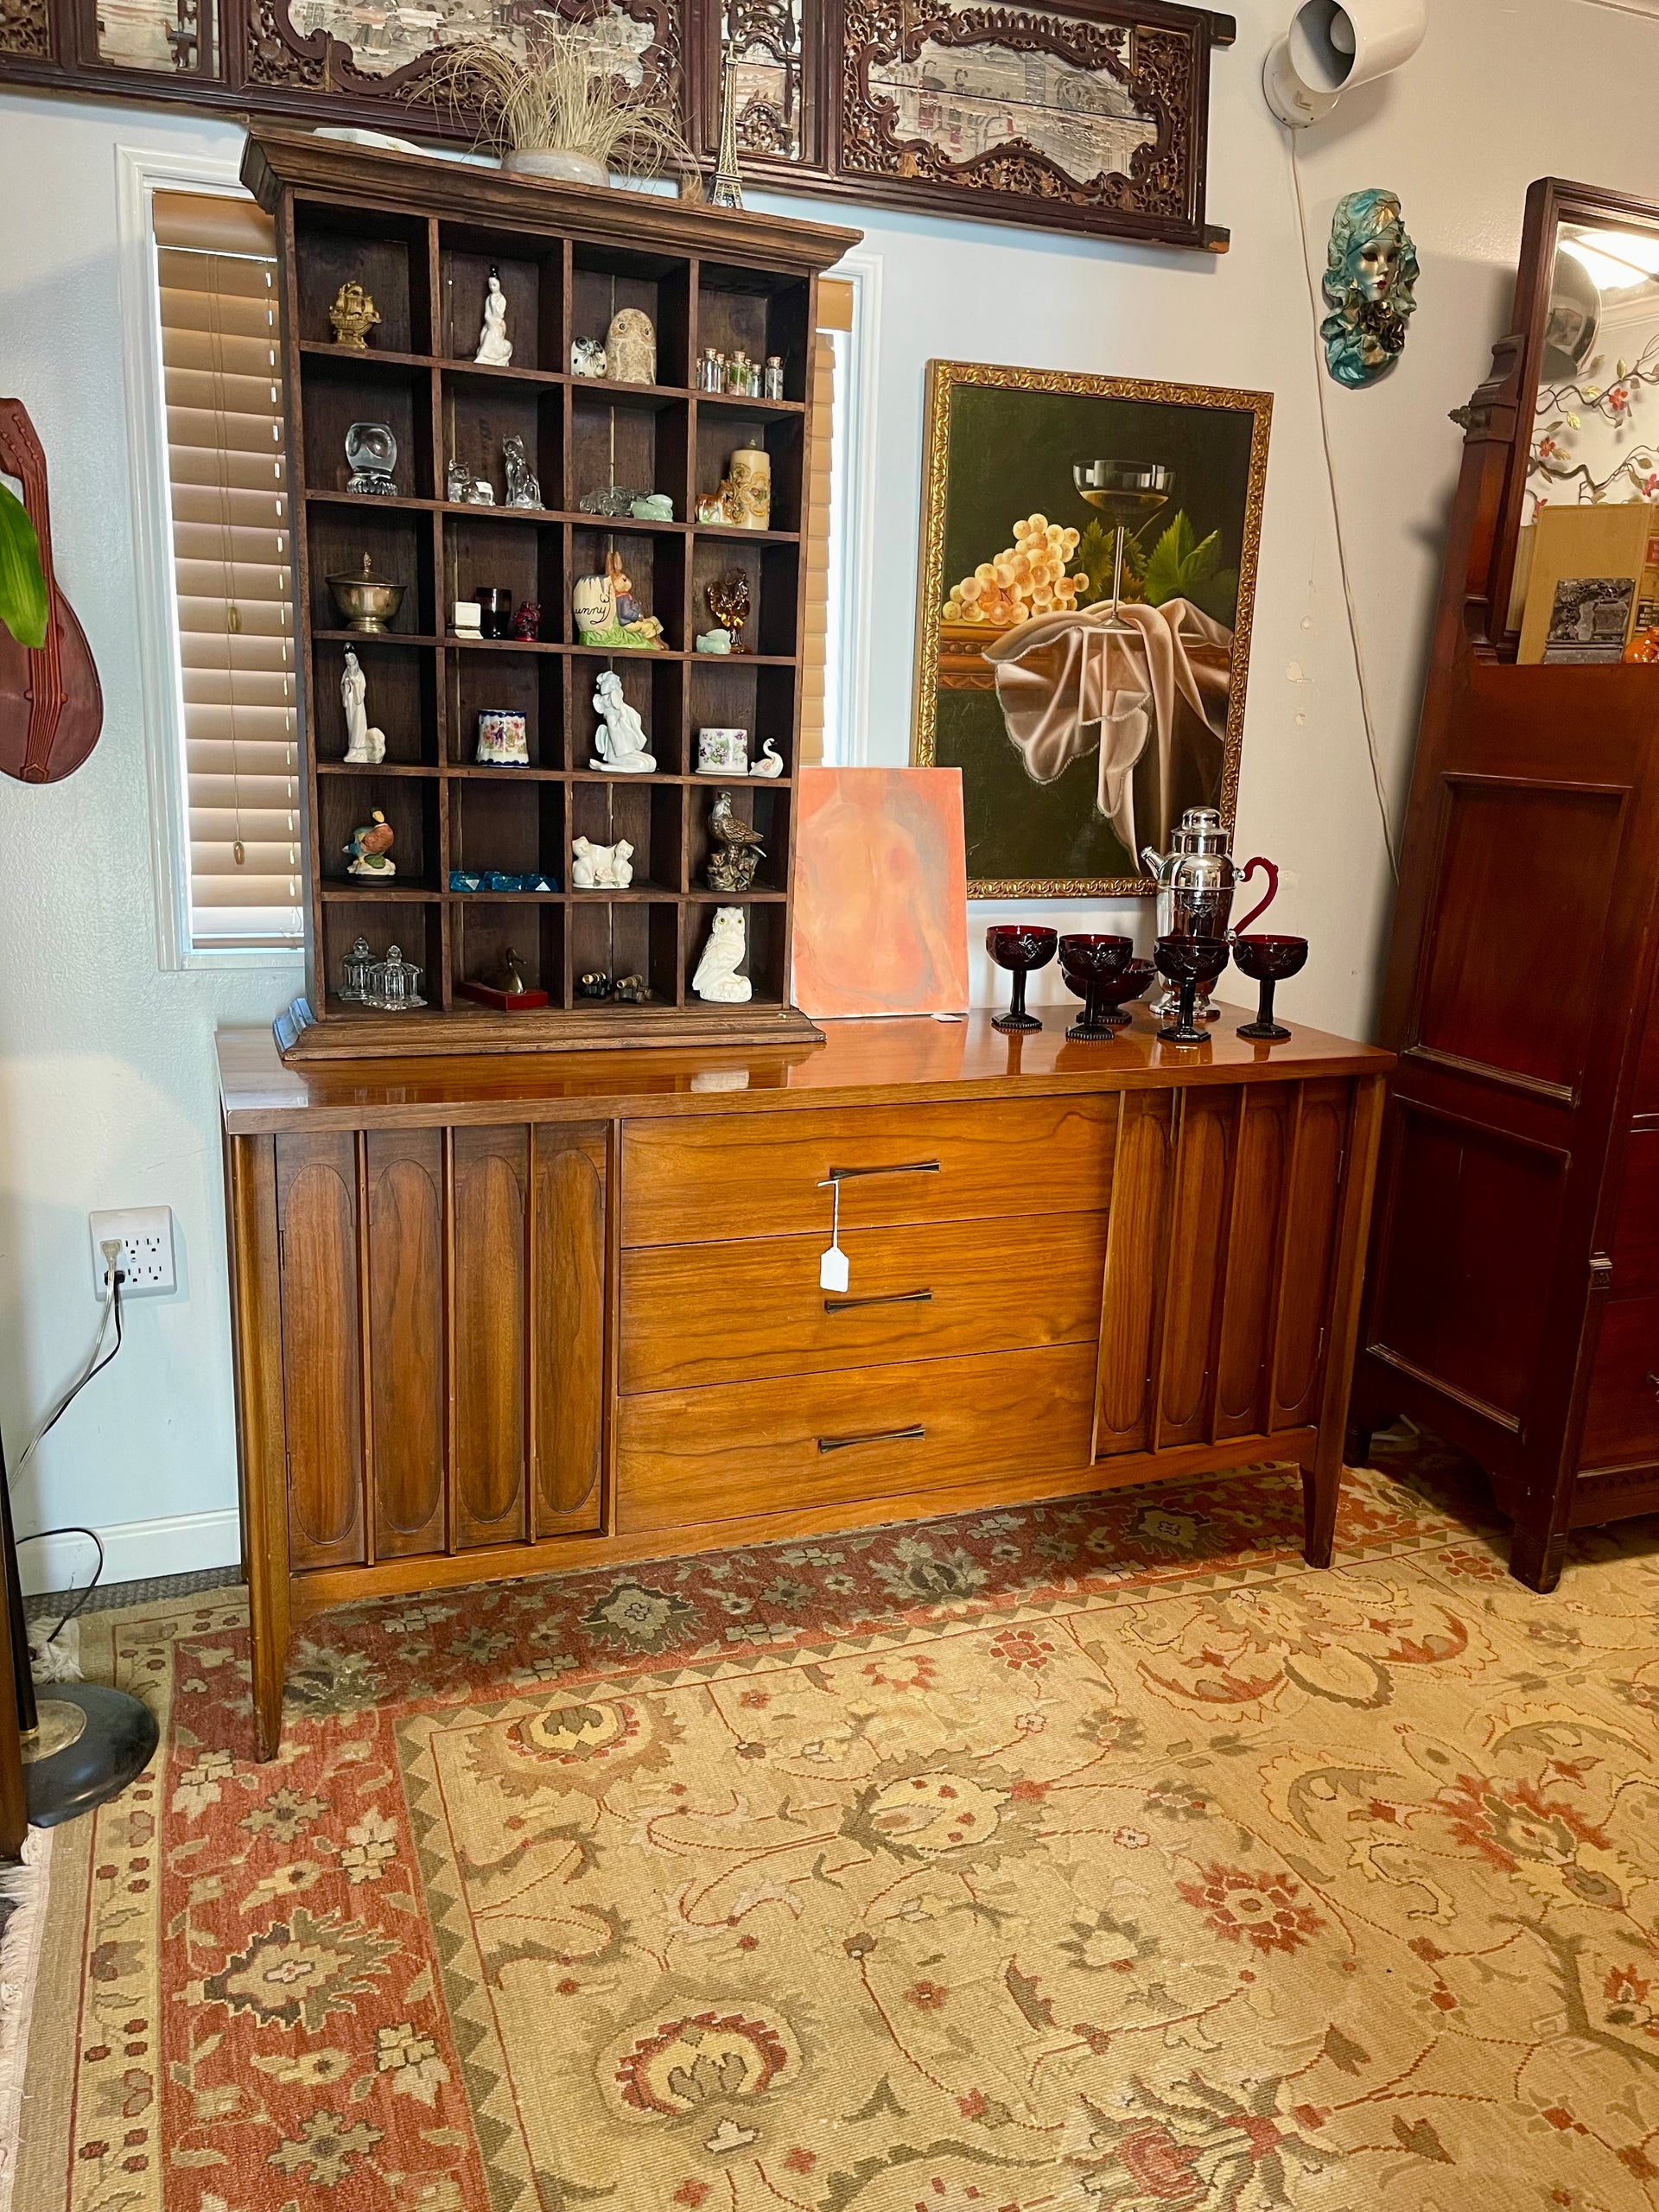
[(559, 109)]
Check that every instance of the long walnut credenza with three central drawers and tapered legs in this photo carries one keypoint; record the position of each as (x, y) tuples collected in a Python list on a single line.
[(512, 1315)]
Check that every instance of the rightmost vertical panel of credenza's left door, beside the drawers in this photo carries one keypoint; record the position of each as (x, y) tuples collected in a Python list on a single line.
[(570, 1244)]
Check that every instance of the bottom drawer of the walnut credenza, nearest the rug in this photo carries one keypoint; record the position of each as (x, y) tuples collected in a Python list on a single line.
[(820, 1441)]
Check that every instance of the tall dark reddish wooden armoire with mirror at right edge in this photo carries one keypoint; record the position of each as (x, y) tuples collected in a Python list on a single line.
[(1514, 1280)]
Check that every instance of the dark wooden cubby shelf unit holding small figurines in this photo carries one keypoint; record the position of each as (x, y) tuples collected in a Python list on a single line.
[(421, 238)]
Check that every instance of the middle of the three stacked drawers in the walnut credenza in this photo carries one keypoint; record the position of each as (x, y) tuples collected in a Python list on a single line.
[(738, 1313)]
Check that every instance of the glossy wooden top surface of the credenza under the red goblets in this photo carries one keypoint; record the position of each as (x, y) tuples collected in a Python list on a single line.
[(862, 1063)]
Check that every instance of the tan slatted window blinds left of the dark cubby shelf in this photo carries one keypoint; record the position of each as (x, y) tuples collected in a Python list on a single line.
[(231, 563)]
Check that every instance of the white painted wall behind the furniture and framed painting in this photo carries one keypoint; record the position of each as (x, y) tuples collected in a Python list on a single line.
[(107, 1085)]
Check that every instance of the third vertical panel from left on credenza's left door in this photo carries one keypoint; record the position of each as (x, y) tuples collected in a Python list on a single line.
[(490, 1176)]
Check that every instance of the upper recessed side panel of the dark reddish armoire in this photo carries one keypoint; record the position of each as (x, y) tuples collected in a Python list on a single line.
[(1512, 968)]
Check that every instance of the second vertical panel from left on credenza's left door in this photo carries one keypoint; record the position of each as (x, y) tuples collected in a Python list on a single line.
[(408, 1339)]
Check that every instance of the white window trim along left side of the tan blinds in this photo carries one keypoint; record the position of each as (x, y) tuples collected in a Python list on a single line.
[(140, 174)]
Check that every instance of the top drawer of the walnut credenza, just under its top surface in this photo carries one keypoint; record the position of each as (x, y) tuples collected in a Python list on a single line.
[(758, 1176)]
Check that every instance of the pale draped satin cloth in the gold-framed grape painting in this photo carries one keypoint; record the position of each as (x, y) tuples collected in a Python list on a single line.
[(1067, 687)]
